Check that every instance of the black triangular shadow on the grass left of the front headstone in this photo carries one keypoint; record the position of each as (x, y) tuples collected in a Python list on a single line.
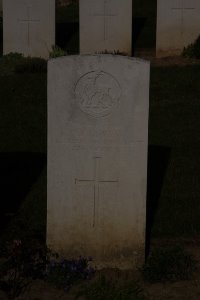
[(19, 170)]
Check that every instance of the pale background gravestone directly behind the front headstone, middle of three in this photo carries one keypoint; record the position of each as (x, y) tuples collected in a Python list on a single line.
[(105, 25)]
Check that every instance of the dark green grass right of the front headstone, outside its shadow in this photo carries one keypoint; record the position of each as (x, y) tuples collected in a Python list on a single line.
[(175, 122)]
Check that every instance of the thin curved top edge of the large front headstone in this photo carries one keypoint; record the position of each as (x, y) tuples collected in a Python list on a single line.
[(133, 59)]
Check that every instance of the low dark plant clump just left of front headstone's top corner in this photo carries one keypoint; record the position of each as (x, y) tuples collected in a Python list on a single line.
[(31, 65)]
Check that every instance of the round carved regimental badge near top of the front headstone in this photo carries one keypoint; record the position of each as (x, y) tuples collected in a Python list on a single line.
[(97, 93)]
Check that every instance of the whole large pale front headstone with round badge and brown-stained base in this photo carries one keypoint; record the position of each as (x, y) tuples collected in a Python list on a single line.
[(97, 158)]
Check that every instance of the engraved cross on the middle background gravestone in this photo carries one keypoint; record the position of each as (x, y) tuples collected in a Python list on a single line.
[(106, 14)]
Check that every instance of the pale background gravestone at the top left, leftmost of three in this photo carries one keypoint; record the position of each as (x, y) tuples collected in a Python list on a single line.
[(29, 27)]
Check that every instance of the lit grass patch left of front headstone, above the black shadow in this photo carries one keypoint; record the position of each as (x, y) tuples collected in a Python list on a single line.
[(23, 113)]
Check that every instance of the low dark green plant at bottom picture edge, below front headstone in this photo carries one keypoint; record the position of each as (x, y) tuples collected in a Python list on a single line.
[(105, 289)]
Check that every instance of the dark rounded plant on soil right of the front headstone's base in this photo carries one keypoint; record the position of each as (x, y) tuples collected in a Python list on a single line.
[(169, 264)]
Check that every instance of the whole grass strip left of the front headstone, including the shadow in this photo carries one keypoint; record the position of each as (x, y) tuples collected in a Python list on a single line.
[(23, 147)]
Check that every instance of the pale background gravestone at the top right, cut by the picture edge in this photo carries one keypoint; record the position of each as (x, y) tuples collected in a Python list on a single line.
[(178, 25)]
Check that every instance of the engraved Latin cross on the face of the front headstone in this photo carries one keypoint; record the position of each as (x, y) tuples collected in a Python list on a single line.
[(95, 182)]
